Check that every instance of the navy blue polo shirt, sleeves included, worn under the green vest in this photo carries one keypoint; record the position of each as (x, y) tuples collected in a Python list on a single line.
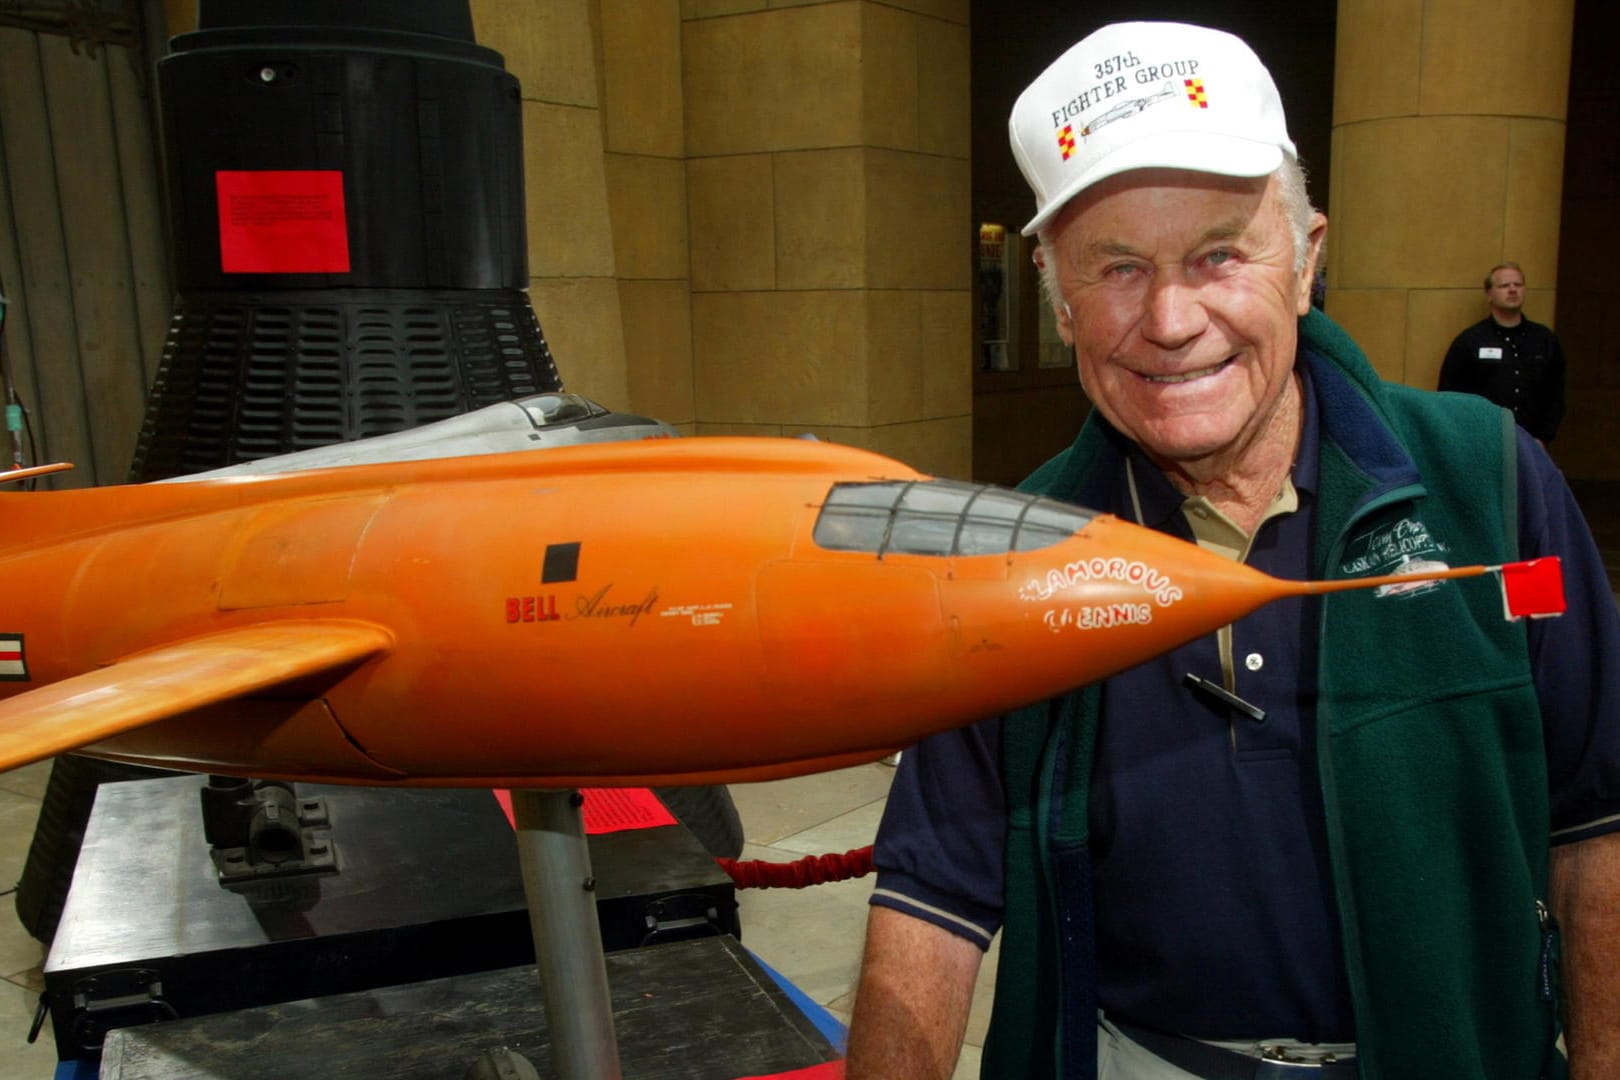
[(1214, 899)]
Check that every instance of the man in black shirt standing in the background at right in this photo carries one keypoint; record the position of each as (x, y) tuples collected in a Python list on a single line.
[(1509, 359)]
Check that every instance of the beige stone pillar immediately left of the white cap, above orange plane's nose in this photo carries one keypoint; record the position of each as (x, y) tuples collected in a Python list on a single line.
[(832, 236)]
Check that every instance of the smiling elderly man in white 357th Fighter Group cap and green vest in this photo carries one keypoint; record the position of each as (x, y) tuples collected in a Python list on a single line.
[(1318, 843)]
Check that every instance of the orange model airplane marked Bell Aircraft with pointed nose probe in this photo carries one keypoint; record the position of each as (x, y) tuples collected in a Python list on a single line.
[(688, 611)]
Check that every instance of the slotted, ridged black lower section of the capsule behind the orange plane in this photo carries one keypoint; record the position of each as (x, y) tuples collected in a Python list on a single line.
[(250, 376)]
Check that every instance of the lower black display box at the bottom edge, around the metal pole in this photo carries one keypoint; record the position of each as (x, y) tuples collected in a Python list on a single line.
[(688, 1011)]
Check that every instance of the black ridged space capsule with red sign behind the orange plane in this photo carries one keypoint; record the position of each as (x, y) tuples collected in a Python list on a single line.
[(349, 250)]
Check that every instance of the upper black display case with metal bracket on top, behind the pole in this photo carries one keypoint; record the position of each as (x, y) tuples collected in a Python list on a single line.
[(427, 887)]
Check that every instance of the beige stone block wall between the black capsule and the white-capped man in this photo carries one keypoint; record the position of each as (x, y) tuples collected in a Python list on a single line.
[(754, 218)]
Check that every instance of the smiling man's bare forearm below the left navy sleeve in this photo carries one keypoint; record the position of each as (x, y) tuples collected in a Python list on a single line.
[(913, 1001)]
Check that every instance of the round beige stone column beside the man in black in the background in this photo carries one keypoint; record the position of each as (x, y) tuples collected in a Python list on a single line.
[(1447, 159)]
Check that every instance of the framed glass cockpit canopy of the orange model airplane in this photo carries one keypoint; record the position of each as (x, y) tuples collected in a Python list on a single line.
[(942, 517)]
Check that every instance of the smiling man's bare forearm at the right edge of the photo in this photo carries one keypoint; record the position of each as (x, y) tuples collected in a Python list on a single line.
[(1587, 903)]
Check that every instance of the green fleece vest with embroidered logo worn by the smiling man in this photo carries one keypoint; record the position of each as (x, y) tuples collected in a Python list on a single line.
[(1433, 775)]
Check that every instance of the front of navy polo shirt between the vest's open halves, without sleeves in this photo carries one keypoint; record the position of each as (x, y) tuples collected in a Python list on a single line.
[(1209, 822)]
